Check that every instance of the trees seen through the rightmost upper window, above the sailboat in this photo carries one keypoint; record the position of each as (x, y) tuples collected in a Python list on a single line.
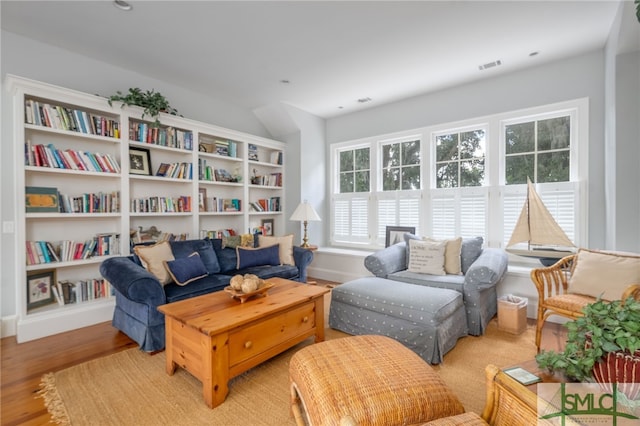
[(539, 150)]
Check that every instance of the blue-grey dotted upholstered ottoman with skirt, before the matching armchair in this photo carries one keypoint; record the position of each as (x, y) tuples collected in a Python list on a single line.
[(427, 320)]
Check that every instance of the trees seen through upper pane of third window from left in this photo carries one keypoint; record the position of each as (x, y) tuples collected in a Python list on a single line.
[(460, 159)]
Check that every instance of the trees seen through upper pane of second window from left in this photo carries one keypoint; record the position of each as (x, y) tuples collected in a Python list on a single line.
[(401, 166)]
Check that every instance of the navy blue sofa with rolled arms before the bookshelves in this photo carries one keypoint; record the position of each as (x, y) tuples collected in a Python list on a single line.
[(139, 293)]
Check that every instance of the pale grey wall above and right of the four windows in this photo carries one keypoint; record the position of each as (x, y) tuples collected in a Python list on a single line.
[(573, 78)]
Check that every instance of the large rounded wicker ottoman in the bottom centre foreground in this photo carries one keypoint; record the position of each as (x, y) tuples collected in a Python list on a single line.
[(372, 380)]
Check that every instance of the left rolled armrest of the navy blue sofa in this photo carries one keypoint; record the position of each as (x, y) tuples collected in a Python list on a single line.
[(133, 281)]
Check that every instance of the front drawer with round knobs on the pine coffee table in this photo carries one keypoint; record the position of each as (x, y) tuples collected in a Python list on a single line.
[(263, 335)]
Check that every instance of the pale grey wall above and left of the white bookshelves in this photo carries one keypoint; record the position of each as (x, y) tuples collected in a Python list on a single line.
[(27, 58)]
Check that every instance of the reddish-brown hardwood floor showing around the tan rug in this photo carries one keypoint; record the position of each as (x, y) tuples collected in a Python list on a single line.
[(22, 365)]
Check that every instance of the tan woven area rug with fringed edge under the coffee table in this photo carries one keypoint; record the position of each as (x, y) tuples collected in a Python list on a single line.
[(132, 387)]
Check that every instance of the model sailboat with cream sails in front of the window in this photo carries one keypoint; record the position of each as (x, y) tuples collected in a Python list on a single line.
[(536, 227)]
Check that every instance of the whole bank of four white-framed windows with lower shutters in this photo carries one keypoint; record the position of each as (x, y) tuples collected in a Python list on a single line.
[(469, 180)]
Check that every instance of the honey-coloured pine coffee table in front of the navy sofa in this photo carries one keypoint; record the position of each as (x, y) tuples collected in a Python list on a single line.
[(215, 337)]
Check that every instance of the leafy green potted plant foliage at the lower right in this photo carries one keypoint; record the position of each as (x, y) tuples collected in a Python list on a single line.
[(605, 327)]
